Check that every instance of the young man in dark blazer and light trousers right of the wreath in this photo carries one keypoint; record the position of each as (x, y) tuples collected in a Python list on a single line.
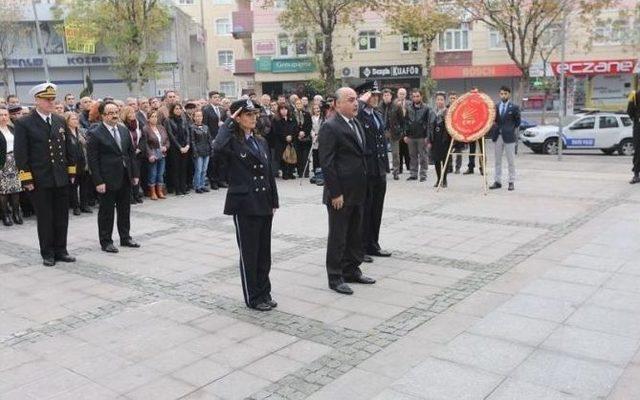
[(504, 135)]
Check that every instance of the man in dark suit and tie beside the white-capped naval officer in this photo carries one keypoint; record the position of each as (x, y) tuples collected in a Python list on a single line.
[(111, 155)]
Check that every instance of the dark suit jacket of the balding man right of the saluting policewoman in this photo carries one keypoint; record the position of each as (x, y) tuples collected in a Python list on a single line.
[(342, 159)]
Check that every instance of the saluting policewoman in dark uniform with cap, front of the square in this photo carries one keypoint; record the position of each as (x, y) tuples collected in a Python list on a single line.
[(252, 198)]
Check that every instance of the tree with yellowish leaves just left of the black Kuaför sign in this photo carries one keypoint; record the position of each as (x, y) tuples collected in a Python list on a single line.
[(322, 17)]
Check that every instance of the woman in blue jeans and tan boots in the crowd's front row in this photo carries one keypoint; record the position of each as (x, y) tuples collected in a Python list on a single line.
[(157, 146)]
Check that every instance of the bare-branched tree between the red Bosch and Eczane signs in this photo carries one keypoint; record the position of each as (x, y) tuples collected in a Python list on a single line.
[(522, 24)]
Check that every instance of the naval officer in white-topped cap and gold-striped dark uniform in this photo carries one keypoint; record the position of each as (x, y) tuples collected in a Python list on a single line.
[(44, 159)]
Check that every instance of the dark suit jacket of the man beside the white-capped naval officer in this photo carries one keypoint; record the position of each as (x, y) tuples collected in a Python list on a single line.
[(107, 162)]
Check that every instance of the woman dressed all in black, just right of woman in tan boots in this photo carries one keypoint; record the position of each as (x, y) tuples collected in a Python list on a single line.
[(178, 131)]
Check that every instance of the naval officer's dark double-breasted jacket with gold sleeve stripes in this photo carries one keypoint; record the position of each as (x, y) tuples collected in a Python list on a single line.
[(42, 153)]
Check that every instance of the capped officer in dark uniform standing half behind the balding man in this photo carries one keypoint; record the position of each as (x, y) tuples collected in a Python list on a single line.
[(377, 162)]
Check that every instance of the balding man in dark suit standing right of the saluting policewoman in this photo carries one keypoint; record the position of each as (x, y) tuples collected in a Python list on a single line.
[(342, 144)]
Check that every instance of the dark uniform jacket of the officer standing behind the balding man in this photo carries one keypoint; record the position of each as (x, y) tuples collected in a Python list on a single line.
[(376, 154)]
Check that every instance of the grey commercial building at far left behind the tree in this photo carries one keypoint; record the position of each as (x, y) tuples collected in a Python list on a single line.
[(181, 62)]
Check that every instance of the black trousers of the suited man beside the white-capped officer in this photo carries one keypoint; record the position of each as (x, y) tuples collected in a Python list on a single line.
[(110, 201)]
